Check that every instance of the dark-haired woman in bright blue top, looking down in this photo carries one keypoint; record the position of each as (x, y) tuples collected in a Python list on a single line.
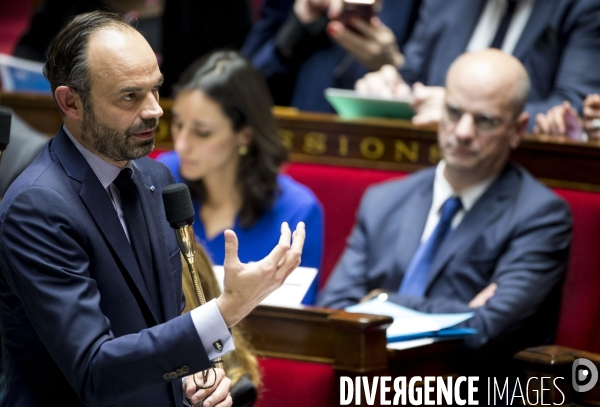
[(229, 153)]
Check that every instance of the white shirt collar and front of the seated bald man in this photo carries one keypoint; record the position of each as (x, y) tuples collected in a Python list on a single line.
[(442, 190)]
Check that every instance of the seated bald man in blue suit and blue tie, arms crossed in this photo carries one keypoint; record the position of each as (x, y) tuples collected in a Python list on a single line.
[(476, 233)]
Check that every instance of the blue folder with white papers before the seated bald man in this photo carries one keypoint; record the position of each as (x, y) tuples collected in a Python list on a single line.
[(409, 324)]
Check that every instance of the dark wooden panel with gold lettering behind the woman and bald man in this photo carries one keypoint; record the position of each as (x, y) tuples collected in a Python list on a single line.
[(367, 143)]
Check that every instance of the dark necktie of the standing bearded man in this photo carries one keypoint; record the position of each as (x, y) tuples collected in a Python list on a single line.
[(138, 233)]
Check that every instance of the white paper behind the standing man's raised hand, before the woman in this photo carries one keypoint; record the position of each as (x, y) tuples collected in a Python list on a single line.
[(290, 294)]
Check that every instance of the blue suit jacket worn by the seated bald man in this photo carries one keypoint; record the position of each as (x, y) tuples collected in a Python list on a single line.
[(517, 235)]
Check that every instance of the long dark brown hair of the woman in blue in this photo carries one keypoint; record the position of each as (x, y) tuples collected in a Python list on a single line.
[(230, 80)]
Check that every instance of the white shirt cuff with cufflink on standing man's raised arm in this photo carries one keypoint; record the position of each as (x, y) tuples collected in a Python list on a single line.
[(212, 330)]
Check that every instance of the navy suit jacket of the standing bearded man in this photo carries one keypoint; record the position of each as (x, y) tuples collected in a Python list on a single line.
[(78, 324)]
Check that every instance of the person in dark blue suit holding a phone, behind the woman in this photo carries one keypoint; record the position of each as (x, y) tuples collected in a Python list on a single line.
[(301, 47)]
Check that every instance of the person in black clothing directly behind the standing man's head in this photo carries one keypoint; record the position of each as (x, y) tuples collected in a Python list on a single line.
[(179, 31)]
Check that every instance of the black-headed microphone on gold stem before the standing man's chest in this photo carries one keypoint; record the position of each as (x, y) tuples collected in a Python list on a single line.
[(180, 215)]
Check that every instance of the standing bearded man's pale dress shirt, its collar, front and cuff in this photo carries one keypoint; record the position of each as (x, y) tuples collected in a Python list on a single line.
[(207, 319)]
